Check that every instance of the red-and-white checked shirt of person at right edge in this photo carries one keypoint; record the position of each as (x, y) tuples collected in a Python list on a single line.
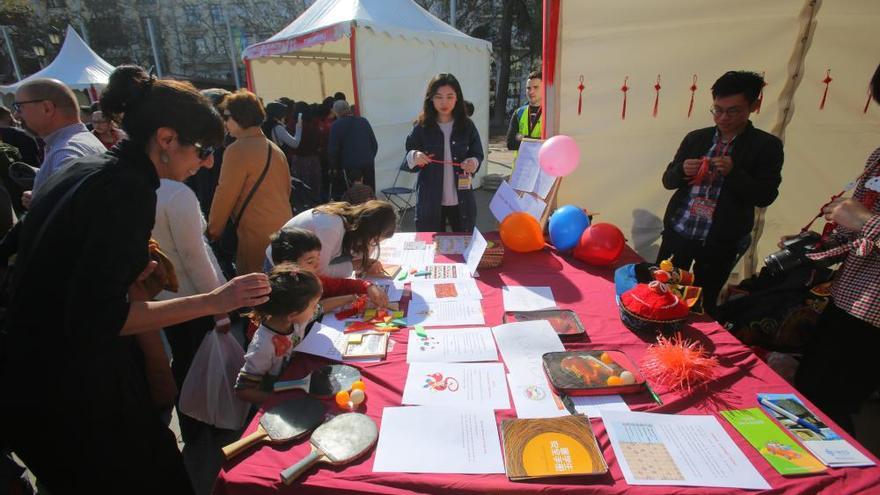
[(856, 288)]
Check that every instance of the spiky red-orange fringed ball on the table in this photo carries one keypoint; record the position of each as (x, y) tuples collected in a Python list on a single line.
[(678, 364)]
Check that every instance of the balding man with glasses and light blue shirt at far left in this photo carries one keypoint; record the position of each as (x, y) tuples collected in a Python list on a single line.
[(49, 109)]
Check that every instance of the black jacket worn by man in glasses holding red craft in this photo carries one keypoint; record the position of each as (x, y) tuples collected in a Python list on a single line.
[(752, 183)]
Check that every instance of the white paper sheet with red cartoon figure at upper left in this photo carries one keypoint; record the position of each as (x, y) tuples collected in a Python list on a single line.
[(456, 384)]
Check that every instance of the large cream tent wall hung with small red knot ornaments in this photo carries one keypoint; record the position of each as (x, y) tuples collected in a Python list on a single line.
[(793, 42)]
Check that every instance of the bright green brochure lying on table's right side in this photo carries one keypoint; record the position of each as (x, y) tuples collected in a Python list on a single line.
[(780, 450)]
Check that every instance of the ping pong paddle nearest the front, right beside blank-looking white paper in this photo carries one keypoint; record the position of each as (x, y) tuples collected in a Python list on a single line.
[(338, 441)]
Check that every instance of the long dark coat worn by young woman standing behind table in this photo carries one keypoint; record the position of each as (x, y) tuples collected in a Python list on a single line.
[(464, 143)]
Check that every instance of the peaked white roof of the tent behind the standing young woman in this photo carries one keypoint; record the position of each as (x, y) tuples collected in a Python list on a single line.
[(327, 20)]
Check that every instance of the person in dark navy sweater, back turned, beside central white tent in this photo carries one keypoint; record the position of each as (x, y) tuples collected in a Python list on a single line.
[(352, 144)]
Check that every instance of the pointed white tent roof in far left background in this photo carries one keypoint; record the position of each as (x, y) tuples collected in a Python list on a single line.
[(76, 65)]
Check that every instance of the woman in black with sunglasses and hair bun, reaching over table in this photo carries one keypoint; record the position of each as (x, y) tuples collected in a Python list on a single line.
[(77, 409)]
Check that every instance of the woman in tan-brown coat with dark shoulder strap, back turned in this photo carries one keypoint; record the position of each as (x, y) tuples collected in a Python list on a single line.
[(243, 163)]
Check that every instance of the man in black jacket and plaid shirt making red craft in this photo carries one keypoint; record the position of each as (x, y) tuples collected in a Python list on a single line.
[(720, 175)]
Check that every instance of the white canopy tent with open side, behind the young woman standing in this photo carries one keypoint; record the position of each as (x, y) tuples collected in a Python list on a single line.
[(381, 54)]
